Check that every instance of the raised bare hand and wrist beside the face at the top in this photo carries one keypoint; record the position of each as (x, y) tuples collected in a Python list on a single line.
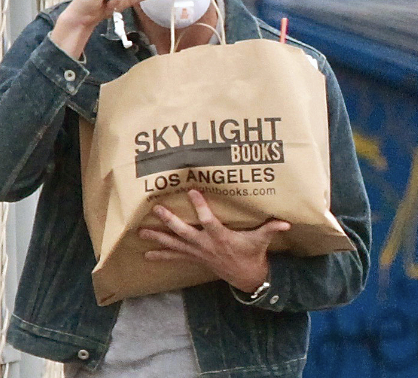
[(76, 24)]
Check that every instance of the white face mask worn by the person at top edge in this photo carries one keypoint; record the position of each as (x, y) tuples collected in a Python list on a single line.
[(186, 12)]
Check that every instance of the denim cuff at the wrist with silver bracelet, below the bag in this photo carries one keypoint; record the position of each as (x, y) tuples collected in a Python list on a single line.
[(276, 296)]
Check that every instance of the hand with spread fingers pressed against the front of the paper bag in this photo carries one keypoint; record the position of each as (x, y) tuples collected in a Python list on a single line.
[(238, 257)]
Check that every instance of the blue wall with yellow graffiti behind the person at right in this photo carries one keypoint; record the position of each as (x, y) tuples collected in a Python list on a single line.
[(377, 335)]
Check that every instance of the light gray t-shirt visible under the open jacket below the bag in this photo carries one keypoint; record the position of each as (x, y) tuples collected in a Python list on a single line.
[(150, 340)]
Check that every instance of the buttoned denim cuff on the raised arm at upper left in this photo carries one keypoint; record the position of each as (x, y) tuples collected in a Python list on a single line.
[(66, 72)]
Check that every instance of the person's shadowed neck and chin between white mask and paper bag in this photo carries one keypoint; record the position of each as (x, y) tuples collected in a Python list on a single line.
[(193, 35)]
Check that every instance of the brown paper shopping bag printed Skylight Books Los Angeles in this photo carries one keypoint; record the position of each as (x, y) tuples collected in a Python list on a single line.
[(246, 124)]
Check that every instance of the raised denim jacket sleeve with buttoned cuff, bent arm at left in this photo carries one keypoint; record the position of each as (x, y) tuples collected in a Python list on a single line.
[(36, 80)]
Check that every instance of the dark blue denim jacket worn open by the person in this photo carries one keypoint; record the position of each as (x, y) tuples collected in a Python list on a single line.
[(43, 92)]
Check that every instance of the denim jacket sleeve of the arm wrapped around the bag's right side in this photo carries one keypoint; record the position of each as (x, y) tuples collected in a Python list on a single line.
[(316, 283)]
